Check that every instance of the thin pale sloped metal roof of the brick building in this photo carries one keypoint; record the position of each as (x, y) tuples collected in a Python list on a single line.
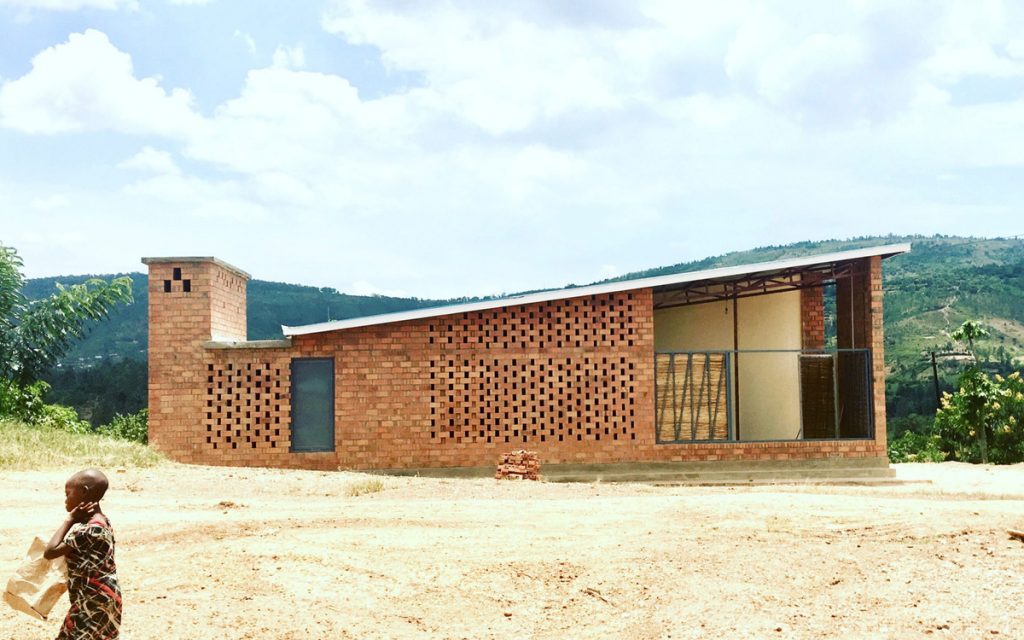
[(579, 292)]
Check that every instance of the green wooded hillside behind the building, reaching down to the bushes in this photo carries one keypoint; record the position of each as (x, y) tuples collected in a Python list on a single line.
[(929, 292)]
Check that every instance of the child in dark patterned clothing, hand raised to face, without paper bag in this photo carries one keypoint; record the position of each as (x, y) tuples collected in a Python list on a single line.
[(87, 539)]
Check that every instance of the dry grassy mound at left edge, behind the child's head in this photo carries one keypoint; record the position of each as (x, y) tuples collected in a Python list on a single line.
[(25, 448)]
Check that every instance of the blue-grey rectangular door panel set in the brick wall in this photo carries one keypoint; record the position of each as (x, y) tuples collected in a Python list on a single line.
[(313, 405)]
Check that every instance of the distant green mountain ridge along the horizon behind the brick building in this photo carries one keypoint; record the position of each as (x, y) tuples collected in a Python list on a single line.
[(943, 282)]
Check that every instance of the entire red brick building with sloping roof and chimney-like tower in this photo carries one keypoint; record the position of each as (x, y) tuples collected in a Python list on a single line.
[(732, 364)]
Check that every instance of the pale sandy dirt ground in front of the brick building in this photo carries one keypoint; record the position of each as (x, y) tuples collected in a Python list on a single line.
[(229, 553)]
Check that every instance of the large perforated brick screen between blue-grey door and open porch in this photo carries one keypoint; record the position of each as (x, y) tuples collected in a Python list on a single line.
[(540, 380)]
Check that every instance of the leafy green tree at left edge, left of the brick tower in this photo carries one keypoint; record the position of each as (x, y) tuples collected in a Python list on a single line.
[(34, 335)]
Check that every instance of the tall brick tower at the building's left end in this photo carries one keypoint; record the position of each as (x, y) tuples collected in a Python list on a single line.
[(192, 302)]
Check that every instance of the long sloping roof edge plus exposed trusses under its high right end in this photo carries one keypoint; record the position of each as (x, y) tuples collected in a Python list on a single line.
[(823, 265)]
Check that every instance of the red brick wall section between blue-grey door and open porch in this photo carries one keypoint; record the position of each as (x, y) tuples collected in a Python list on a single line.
[(570, 378)]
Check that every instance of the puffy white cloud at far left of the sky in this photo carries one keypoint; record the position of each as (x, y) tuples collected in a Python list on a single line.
[(88, 84)]
